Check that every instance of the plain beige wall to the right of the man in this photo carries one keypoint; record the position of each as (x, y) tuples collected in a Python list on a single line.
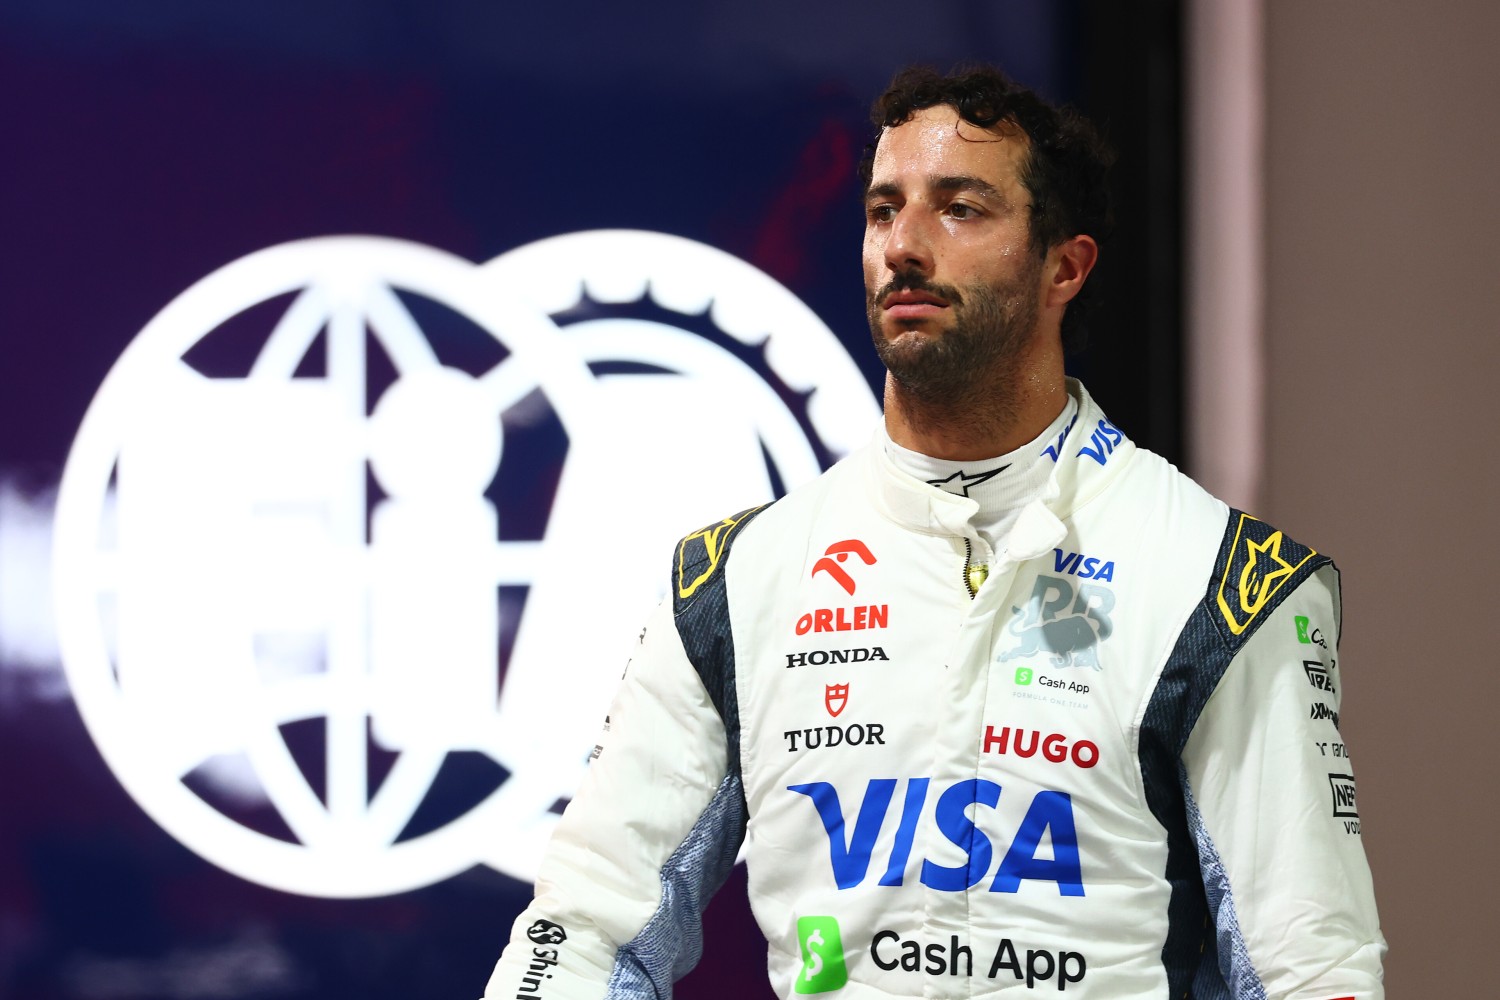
[(1384, 352)]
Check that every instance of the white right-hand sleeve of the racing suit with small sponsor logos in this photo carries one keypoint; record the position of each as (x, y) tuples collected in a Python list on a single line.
[(1271, 804)]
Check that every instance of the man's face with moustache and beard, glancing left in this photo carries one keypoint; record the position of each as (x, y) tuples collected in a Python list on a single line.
[(953, 286)]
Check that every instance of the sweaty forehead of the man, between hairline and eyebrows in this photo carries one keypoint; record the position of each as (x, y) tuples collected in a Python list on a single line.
[(937, 143)]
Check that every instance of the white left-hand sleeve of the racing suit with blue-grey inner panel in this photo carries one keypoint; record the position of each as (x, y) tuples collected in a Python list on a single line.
[(650, 836)]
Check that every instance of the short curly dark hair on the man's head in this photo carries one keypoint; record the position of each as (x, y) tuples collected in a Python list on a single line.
[(1067, 164)]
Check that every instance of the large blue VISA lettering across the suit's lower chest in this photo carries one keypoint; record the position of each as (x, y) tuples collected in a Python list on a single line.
[(851, 845)]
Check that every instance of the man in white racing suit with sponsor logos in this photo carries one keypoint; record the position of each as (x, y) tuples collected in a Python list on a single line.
[(1007, 704)]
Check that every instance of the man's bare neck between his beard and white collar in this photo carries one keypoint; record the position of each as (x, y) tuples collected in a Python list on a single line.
[(994, 415)]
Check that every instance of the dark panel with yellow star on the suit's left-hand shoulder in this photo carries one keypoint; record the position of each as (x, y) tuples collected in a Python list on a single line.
[(701, 608)]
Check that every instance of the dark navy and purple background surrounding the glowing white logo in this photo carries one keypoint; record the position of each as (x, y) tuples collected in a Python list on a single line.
[(151, 145)]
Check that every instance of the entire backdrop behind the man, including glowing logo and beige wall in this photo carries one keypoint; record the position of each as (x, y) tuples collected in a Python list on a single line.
[(362, 364)]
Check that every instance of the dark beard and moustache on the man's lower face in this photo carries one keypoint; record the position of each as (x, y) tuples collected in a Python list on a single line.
[(970, 367)]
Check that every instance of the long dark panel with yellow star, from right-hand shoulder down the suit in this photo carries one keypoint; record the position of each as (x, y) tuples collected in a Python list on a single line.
[(1258, 567)]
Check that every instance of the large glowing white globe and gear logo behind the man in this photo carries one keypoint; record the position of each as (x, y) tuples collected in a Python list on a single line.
[(236, 555)]
